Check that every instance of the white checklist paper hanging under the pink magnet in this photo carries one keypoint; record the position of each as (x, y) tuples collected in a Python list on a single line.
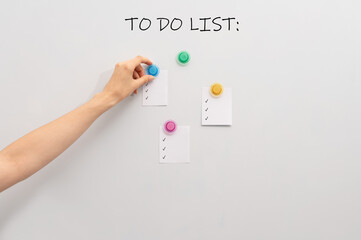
[(174, 148)]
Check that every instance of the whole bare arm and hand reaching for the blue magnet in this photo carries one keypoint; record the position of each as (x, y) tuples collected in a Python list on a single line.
[(30, 153)]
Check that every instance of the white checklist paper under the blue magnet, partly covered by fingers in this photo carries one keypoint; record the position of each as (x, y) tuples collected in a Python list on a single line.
[(155, 93)]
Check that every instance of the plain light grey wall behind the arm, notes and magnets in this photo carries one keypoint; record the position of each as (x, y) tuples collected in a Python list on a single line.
[(288, 167)]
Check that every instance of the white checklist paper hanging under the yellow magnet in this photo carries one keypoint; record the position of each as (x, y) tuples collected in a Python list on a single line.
[(216, 110)]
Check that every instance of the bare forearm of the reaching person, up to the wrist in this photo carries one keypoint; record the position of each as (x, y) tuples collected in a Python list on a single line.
[(36, 149)]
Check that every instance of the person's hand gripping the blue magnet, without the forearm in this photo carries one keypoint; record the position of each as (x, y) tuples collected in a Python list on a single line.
[(127, 77)]
